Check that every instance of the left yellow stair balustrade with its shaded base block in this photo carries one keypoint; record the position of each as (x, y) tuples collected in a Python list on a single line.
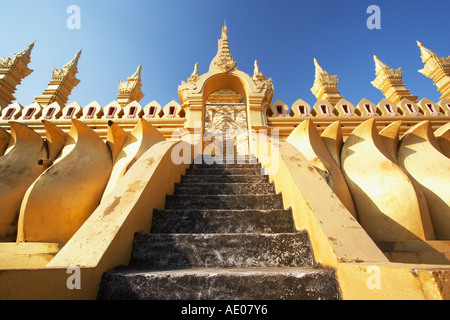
[(105, 239)]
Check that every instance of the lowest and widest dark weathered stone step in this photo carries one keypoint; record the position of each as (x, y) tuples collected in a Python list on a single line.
[(220, 284)]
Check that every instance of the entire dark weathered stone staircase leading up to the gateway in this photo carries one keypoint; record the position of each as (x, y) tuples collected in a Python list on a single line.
[(224, 235)]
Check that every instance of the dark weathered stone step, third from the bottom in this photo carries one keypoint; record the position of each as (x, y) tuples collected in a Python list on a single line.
[(222, 221)]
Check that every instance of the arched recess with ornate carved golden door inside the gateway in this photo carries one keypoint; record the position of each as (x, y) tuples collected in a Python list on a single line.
[(226, 123)]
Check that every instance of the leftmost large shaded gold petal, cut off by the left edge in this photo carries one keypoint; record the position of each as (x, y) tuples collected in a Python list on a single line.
[(18, 169)]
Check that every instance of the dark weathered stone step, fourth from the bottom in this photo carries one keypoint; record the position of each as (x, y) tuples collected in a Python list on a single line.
[(232, 202)]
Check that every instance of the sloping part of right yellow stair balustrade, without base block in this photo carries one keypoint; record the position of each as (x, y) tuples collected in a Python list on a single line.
[(336, 236)]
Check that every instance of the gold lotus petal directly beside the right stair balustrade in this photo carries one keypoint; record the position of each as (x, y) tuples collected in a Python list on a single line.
[(307, 140)]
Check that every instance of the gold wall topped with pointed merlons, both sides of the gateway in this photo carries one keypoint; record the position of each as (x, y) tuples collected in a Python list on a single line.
[(169, 124)]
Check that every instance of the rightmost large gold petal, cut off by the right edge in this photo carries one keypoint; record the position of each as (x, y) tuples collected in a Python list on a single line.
[(421, 156)]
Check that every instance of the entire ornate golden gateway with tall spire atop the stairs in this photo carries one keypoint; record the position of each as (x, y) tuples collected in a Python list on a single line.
[(224, 76)]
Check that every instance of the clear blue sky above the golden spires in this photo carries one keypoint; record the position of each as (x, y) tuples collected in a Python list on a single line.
[(169, 36)]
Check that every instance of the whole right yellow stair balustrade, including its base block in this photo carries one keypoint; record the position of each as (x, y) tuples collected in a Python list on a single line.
[(340, 243)]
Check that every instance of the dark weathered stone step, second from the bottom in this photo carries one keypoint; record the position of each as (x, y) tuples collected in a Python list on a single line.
[(221, 250)]
